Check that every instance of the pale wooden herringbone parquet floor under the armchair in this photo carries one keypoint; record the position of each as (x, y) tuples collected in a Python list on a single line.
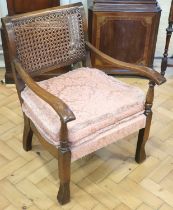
[(109, 179)]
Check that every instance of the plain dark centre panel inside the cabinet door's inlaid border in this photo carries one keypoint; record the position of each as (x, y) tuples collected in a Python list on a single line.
[(123, 39)]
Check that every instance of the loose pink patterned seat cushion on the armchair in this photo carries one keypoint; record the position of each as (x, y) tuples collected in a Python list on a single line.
[(98, 101)]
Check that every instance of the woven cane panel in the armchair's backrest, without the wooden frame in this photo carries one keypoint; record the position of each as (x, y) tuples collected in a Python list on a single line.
[(54, 38)]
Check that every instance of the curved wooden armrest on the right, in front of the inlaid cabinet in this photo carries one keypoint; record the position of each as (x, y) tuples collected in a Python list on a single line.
[(140, 70)]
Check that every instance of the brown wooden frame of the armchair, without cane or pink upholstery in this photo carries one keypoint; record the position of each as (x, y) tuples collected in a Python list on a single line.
[(63, 153)]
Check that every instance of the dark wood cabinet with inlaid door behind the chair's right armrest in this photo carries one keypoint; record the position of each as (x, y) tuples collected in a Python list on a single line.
[(124, 29)]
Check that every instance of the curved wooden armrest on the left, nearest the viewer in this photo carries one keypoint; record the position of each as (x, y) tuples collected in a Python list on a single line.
[(65, 114)]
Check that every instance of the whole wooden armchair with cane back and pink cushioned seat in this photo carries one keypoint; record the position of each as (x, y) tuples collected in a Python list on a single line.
[(82, 110)]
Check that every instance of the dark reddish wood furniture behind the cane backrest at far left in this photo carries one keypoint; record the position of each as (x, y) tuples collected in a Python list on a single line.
[(18, 7)]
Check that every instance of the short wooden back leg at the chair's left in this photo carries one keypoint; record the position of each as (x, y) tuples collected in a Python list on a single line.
[(27, 134)]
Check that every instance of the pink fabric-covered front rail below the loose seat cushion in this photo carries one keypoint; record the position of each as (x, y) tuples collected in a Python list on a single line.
[(119, 131)]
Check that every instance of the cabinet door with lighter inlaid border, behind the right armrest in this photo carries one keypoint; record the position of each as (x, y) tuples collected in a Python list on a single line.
[(129, 37)]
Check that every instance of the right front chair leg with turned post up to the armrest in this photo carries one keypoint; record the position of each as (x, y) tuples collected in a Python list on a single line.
[(144, 132)]
